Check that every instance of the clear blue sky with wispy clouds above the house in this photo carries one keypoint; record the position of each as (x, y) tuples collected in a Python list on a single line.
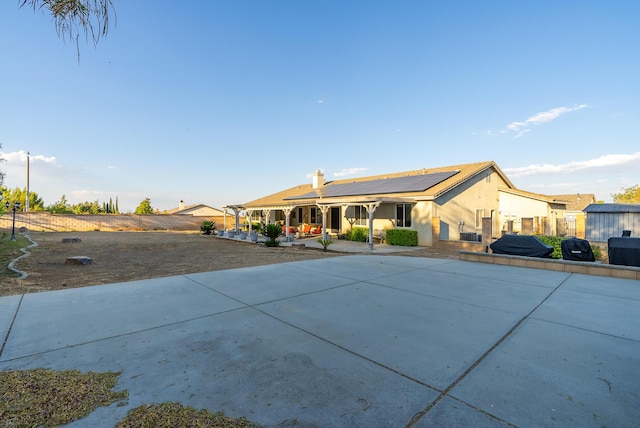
[(222, 102)]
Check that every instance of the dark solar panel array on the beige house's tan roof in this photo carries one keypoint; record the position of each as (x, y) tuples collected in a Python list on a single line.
[(407, 184)]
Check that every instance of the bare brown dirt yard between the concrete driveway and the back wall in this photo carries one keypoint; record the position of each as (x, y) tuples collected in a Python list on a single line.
[(127, 256)]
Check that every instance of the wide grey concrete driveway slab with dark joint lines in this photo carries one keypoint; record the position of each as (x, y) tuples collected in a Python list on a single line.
[(354, 341)]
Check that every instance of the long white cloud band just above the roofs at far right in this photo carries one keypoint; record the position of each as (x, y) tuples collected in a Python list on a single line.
[(599, 162)]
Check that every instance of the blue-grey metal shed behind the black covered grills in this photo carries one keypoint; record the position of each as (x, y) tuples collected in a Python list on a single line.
[(605, 221)]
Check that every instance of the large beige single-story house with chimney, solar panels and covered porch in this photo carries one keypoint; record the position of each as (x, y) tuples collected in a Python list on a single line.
[(456, 197)]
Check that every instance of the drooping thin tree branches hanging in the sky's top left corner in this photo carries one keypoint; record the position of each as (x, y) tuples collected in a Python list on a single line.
[(74, 17)]
